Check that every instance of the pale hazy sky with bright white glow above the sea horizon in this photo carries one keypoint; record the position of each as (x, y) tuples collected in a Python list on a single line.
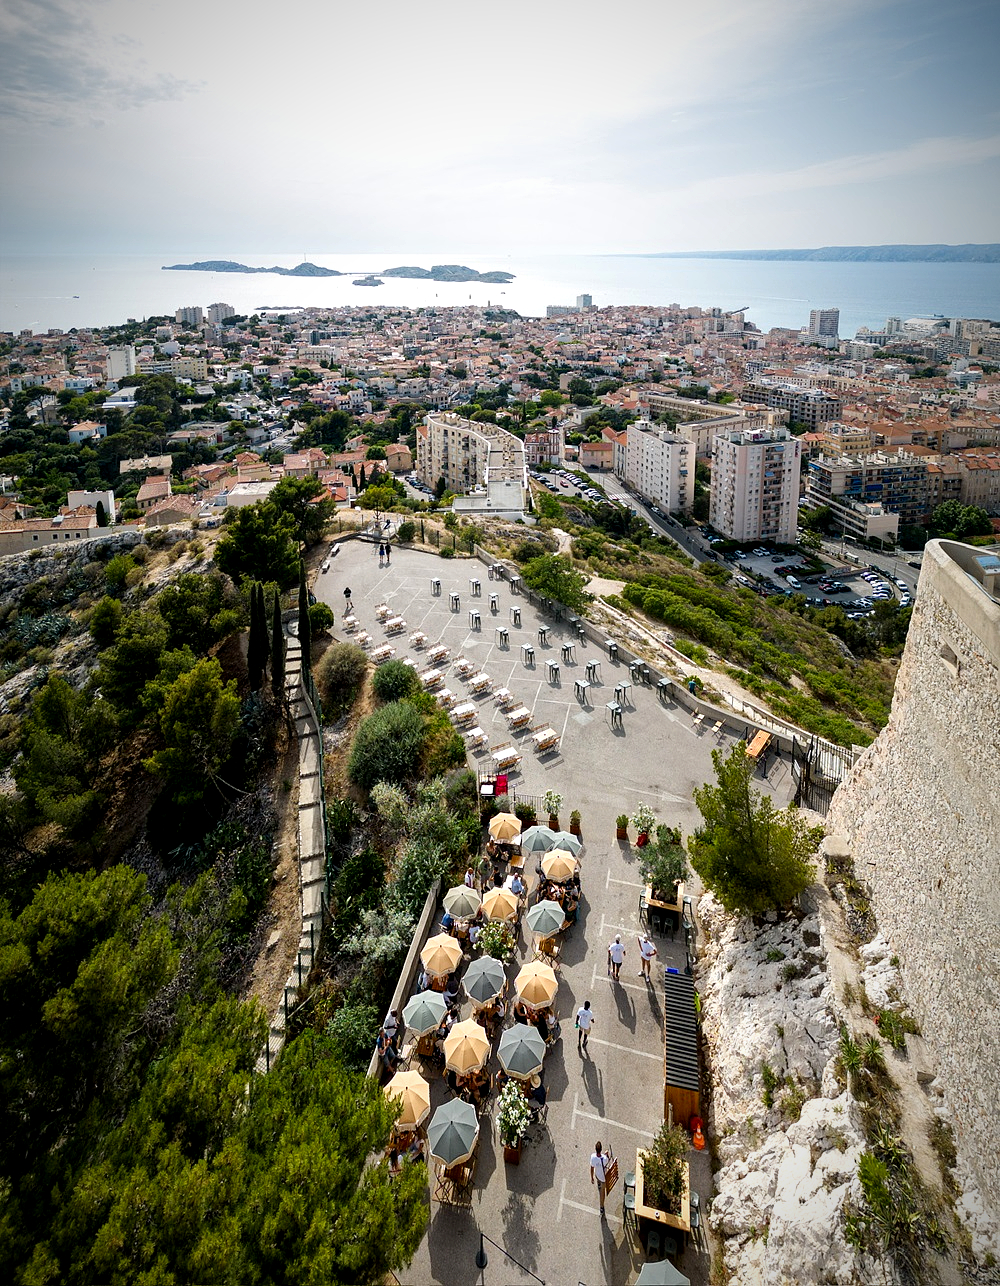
[(223, 129)]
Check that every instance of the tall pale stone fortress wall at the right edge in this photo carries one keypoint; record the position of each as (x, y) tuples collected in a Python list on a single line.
[(921, 815)]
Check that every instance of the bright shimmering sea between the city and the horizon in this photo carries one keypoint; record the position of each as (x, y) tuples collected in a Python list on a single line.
[(66, 291)]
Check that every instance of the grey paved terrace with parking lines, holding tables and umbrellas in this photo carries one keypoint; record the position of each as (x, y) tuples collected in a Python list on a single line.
[(546, 1211)]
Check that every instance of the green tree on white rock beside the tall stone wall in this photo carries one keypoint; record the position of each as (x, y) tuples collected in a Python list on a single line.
[(751, 856)]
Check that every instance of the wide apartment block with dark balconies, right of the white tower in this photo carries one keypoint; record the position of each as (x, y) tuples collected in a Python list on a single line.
[(898, 483)]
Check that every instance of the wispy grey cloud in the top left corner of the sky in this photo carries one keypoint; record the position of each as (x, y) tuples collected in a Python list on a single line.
[(58, 64)]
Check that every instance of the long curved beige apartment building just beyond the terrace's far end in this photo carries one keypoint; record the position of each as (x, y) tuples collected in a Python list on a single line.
[(474, 460)]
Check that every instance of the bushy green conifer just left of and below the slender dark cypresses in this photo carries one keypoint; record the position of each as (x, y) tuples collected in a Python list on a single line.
[(199, 722)]
